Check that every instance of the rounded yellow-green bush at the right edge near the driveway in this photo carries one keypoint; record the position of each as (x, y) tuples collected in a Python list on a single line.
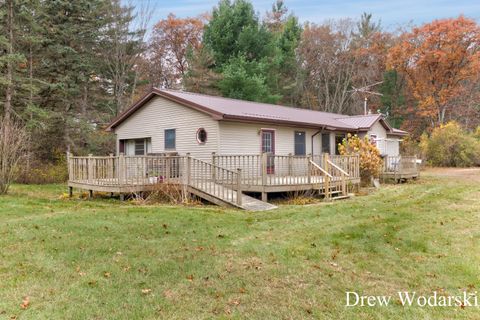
[(451, 146)]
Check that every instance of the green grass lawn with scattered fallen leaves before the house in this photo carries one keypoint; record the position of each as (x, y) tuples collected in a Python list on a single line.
[(106, 259)]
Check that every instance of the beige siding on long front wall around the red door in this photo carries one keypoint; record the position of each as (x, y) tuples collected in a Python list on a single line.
[(244, 138)]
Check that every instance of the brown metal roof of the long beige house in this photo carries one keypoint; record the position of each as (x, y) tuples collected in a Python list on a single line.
[(232, 109)]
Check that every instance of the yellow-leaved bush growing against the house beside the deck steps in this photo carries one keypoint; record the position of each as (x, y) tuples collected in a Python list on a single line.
[(370, 159)]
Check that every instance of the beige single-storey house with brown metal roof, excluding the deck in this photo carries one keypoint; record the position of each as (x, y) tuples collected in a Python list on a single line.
[(177, 122)]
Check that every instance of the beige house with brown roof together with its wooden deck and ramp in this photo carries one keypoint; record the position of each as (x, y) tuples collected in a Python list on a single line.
[(226, 150)]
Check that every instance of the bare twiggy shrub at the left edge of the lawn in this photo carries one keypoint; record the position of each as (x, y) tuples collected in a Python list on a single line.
[(13, 149)]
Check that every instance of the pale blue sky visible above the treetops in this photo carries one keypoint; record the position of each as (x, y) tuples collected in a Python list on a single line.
[(391, 13)]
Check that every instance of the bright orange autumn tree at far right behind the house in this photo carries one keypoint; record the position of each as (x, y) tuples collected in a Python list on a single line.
[(437, 59)]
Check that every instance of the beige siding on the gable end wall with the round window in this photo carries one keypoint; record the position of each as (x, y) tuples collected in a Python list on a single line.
[(159, 114)]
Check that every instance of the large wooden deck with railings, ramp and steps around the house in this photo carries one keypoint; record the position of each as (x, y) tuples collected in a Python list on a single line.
[(222, 180)]
